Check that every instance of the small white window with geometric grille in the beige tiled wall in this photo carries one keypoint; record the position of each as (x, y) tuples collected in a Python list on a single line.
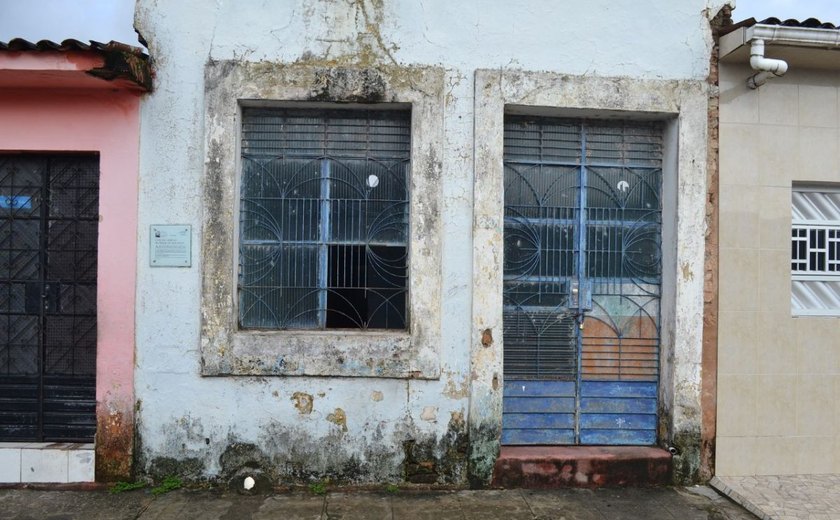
[(815, 251)]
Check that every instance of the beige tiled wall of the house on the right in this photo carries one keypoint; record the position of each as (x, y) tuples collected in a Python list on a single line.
[(778, 375)]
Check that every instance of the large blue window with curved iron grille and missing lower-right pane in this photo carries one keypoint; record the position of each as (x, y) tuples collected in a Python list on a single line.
[(323, 235)]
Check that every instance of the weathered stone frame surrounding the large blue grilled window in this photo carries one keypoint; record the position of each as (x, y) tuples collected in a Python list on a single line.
[(227, 350)]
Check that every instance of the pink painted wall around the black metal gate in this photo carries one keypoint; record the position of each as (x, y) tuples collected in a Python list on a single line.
[(104, 121)]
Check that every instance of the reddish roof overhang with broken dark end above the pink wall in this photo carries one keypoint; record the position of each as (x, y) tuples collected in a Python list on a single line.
[(73, 64)]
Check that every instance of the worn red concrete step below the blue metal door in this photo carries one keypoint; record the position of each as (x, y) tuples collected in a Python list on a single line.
[(545, 467)]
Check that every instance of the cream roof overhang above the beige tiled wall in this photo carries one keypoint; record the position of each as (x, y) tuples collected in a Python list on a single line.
[(802, 47)]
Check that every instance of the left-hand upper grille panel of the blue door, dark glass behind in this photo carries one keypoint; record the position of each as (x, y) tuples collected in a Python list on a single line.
[(542, 191)]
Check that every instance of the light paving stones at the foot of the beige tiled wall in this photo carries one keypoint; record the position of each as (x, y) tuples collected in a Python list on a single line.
[(788, 497)]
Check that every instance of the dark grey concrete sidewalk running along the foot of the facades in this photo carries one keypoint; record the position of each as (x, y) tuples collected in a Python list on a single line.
[(697, 503)]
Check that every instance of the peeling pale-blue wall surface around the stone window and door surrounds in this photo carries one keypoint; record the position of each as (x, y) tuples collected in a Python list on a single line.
[(186, 417)]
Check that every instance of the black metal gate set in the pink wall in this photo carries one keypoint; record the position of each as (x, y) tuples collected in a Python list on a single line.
[(49, 217)]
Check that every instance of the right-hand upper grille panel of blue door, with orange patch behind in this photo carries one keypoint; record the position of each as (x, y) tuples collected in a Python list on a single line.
[(622, 251)]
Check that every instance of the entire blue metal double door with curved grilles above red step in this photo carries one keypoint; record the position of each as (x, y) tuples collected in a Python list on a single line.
[(581, 281)]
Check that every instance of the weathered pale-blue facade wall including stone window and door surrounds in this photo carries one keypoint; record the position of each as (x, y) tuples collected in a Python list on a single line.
[(253, 387)]
